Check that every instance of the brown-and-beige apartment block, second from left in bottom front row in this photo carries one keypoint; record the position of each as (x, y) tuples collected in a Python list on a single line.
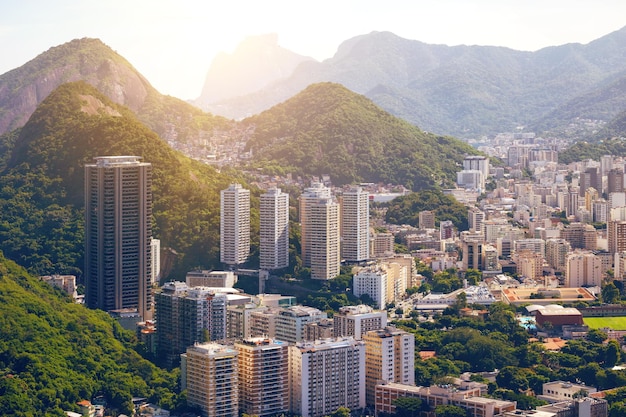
[(263, 376)]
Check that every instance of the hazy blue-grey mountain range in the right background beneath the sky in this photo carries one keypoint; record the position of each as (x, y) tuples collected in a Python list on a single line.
[(464, 90)]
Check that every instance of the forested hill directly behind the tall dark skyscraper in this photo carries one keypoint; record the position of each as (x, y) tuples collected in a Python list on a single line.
[(41, 188)]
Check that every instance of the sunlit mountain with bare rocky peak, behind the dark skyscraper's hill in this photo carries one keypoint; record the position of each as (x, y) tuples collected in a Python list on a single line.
[(22, 89)]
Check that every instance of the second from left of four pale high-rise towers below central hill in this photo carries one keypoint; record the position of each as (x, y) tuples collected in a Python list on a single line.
[(274, 229)]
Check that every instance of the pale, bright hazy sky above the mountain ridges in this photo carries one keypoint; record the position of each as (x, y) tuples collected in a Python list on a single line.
[(172, 43)]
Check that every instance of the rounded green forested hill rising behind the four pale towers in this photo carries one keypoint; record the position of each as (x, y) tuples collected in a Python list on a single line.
[(328, 129)]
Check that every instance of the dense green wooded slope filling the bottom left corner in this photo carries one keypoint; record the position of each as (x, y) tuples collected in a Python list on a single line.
[(54, 353)]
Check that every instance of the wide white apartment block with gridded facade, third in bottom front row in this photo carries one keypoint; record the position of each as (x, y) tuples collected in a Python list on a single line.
[(326, 375)]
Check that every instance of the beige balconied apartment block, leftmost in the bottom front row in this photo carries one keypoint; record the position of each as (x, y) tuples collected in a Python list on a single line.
[(209, 373)]
